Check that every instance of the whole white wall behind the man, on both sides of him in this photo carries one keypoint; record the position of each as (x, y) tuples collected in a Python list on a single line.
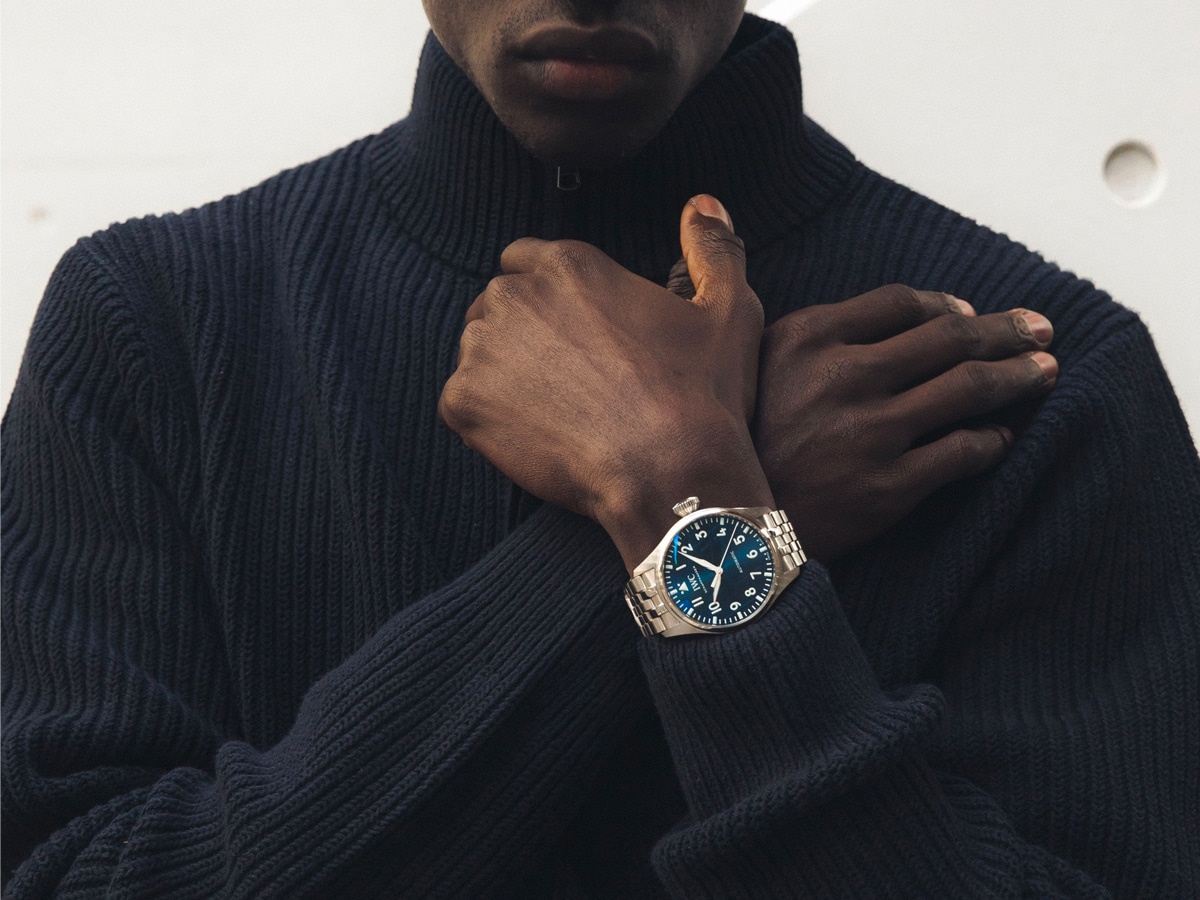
[(1004, 111)]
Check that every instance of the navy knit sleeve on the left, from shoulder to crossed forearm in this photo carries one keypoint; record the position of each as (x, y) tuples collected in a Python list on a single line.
[(441, 757)]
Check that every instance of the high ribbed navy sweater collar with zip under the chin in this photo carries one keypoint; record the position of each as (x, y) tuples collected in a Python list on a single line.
[(465, 189)]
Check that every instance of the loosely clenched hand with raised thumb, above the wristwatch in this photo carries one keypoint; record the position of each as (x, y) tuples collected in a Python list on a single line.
[(601, 392)]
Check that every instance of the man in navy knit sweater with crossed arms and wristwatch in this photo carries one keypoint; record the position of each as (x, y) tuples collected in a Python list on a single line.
[(272, 629)]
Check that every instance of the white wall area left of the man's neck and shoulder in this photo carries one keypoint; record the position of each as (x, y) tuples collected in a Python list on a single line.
[(117, 109)]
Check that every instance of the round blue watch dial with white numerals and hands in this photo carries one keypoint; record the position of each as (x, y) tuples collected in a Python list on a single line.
[(719, 571)]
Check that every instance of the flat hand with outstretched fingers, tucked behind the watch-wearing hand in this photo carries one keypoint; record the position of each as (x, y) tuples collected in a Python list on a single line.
[(851, 393)]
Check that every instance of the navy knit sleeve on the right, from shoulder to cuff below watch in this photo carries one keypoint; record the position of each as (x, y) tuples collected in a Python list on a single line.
[(1047, 747)]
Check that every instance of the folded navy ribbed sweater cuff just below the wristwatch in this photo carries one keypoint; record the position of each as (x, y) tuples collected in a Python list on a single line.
[(790, 698)]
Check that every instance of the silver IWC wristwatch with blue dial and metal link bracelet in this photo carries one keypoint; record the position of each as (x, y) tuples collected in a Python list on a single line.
[(717, 569)]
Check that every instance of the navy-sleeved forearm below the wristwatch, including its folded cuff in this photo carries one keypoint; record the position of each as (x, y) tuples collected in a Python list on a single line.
[(800, 770)]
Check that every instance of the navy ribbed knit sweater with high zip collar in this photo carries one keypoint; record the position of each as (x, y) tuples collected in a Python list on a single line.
[(272, 631)]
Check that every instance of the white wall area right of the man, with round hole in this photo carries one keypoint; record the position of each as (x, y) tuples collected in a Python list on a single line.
[(1007, 111)]
